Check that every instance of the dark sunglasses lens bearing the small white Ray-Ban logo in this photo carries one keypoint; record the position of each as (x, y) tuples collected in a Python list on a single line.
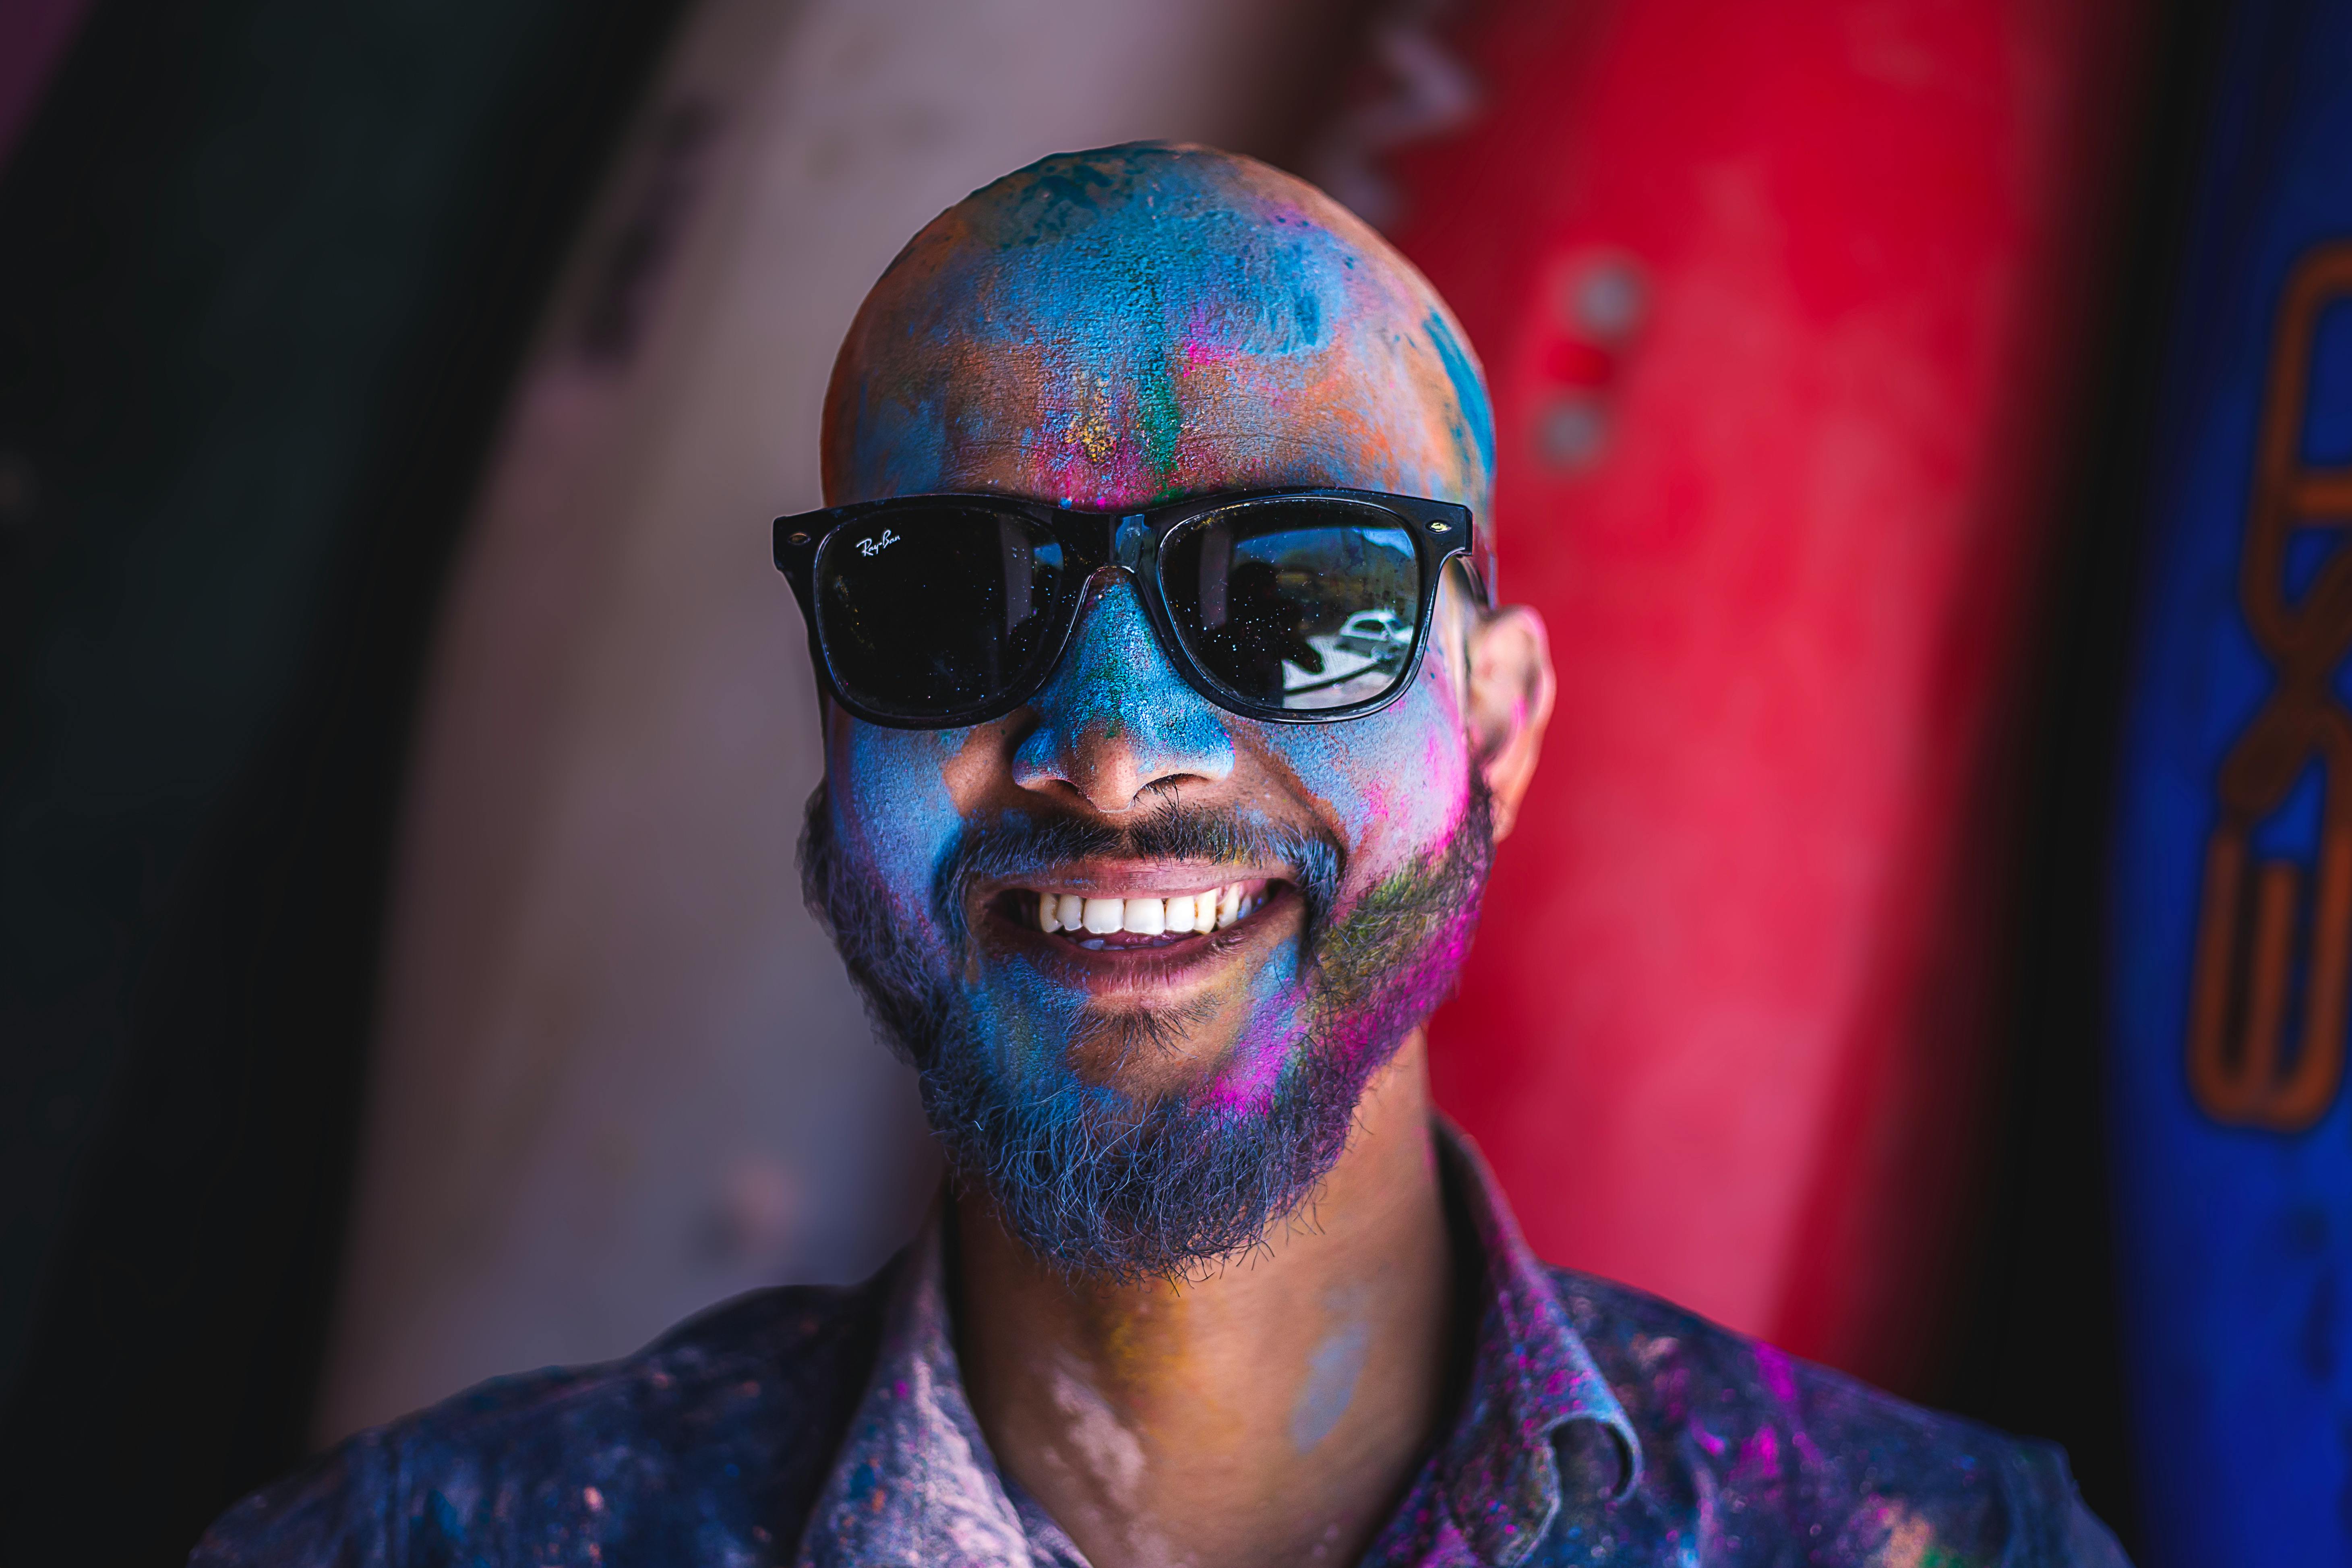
[(933, 615)]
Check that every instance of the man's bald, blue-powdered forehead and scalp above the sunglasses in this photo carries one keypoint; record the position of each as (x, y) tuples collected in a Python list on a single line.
[(1147, 323)]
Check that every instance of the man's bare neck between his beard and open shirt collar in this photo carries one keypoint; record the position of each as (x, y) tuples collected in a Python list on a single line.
[(1267, 1414)]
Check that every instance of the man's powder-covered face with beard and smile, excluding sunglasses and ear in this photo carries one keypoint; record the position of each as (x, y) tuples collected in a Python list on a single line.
[(1144, 1099)]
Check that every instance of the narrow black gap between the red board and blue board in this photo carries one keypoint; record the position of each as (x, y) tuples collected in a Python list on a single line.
[(2040, 1332)]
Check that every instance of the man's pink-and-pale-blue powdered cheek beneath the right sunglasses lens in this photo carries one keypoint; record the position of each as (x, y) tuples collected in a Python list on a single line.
[(1394, 786)]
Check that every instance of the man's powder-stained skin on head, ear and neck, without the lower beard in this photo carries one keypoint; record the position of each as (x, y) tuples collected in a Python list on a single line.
[(1114, 330)]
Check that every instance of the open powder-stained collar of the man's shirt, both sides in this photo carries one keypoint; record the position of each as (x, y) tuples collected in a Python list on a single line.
[(916, 1485)]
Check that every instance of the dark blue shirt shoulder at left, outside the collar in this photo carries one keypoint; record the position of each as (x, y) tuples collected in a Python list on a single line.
[(726, 1423)]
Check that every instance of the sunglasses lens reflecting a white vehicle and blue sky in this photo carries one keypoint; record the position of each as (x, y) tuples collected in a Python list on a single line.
[(1297, 605)]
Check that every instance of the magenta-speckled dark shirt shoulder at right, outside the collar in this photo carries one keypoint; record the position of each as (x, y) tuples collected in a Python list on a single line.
[(1758, 1449)]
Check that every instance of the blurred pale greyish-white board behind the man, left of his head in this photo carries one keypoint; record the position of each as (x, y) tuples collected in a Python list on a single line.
[(620, 1073)]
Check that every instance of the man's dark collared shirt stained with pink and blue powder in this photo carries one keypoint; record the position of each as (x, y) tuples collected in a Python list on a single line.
[(831, 1428)]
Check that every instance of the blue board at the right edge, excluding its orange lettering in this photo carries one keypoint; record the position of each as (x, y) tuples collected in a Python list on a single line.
[(2236, 1242)]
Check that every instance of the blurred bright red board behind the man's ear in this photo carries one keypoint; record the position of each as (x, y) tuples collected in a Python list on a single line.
[(1786, 314)]
